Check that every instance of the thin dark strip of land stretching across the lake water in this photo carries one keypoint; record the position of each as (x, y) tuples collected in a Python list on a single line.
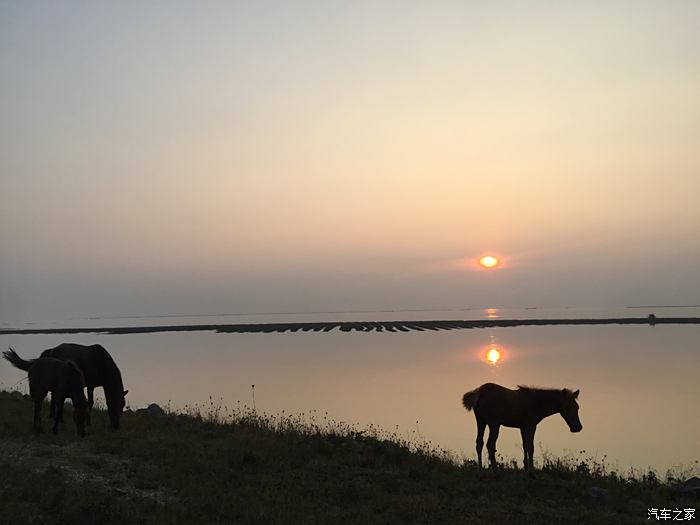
[(348, 326)]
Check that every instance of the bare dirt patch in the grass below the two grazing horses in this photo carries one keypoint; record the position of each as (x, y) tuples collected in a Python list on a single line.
[(81, 465)]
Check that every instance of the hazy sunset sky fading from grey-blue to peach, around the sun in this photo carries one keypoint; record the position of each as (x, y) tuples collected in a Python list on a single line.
[(201, 157)]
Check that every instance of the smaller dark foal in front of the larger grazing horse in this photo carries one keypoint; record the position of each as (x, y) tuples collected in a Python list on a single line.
[(62, 378)]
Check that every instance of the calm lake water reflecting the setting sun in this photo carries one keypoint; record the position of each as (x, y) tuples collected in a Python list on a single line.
[(639, 384)]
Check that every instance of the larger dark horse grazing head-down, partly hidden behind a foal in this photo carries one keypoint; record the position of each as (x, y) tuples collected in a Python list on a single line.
[(98, 369)]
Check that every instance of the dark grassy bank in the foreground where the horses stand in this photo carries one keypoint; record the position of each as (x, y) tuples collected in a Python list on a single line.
[(213, 466)]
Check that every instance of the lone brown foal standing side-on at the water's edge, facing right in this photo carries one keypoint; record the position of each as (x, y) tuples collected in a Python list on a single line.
[(523, 408)]
